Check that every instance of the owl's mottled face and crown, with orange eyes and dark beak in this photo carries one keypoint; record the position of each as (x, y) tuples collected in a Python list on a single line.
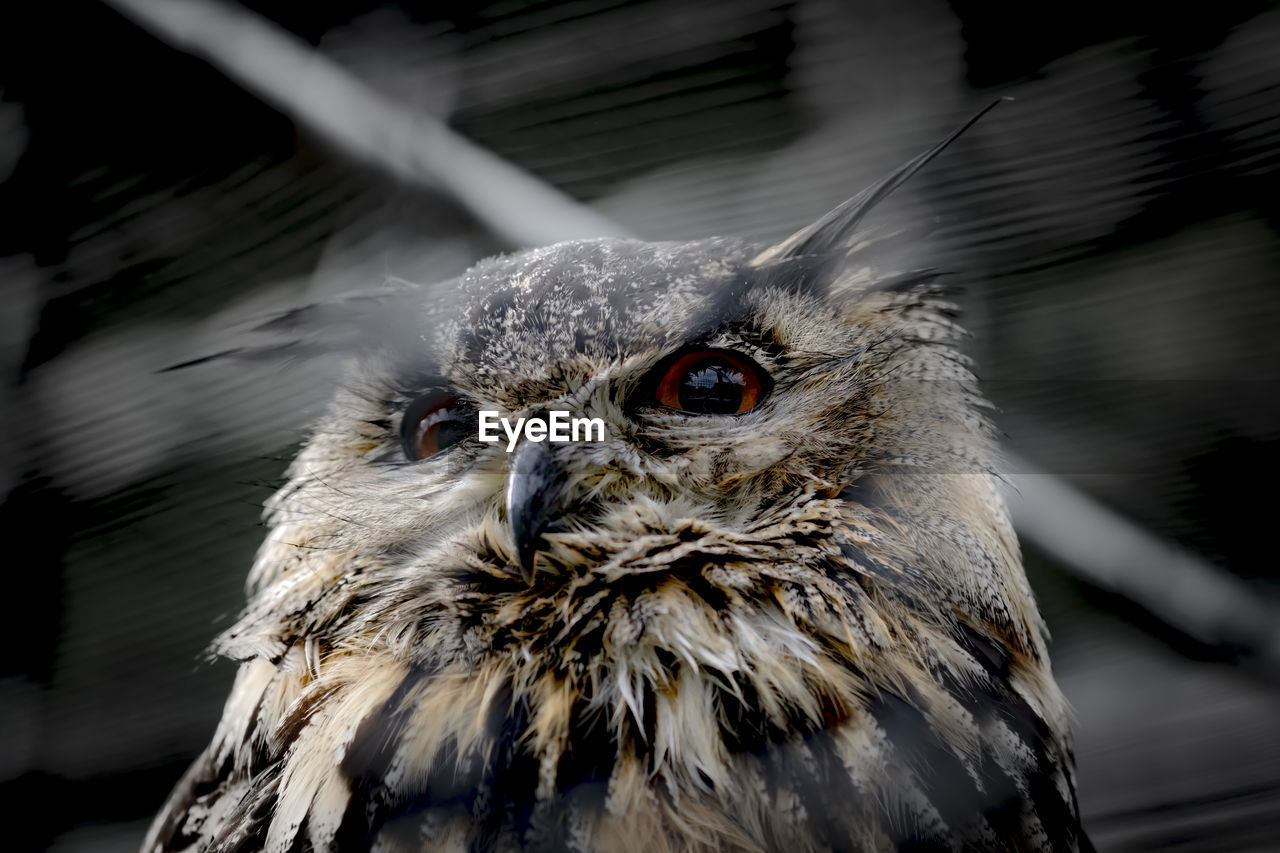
[(730, 390)]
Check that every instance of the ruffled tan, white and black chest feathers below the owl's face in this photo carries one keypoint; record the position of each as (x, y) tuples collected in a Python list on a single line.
[(779, 691)]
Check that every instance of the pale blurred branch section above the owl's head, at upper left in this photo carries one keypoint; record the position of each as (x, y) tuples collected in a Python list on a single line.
[(340, 110)]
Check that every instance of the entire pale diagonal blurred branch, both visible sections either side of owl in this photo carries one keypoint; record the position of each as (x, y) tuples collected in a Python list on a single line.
[(1091, 541)]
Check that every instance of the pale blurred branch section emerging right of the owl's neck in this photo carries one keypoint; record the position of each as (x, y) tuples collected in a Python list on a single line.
[(1112, 553)]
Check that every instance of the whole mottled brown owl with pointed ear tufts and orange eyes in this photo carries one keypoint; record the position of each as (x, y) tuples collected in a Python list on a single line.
[(774, 603)]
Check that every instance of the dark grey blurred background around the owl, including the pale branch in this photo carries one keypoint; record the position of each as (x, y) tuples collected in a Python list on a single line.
[(175, 171)]
